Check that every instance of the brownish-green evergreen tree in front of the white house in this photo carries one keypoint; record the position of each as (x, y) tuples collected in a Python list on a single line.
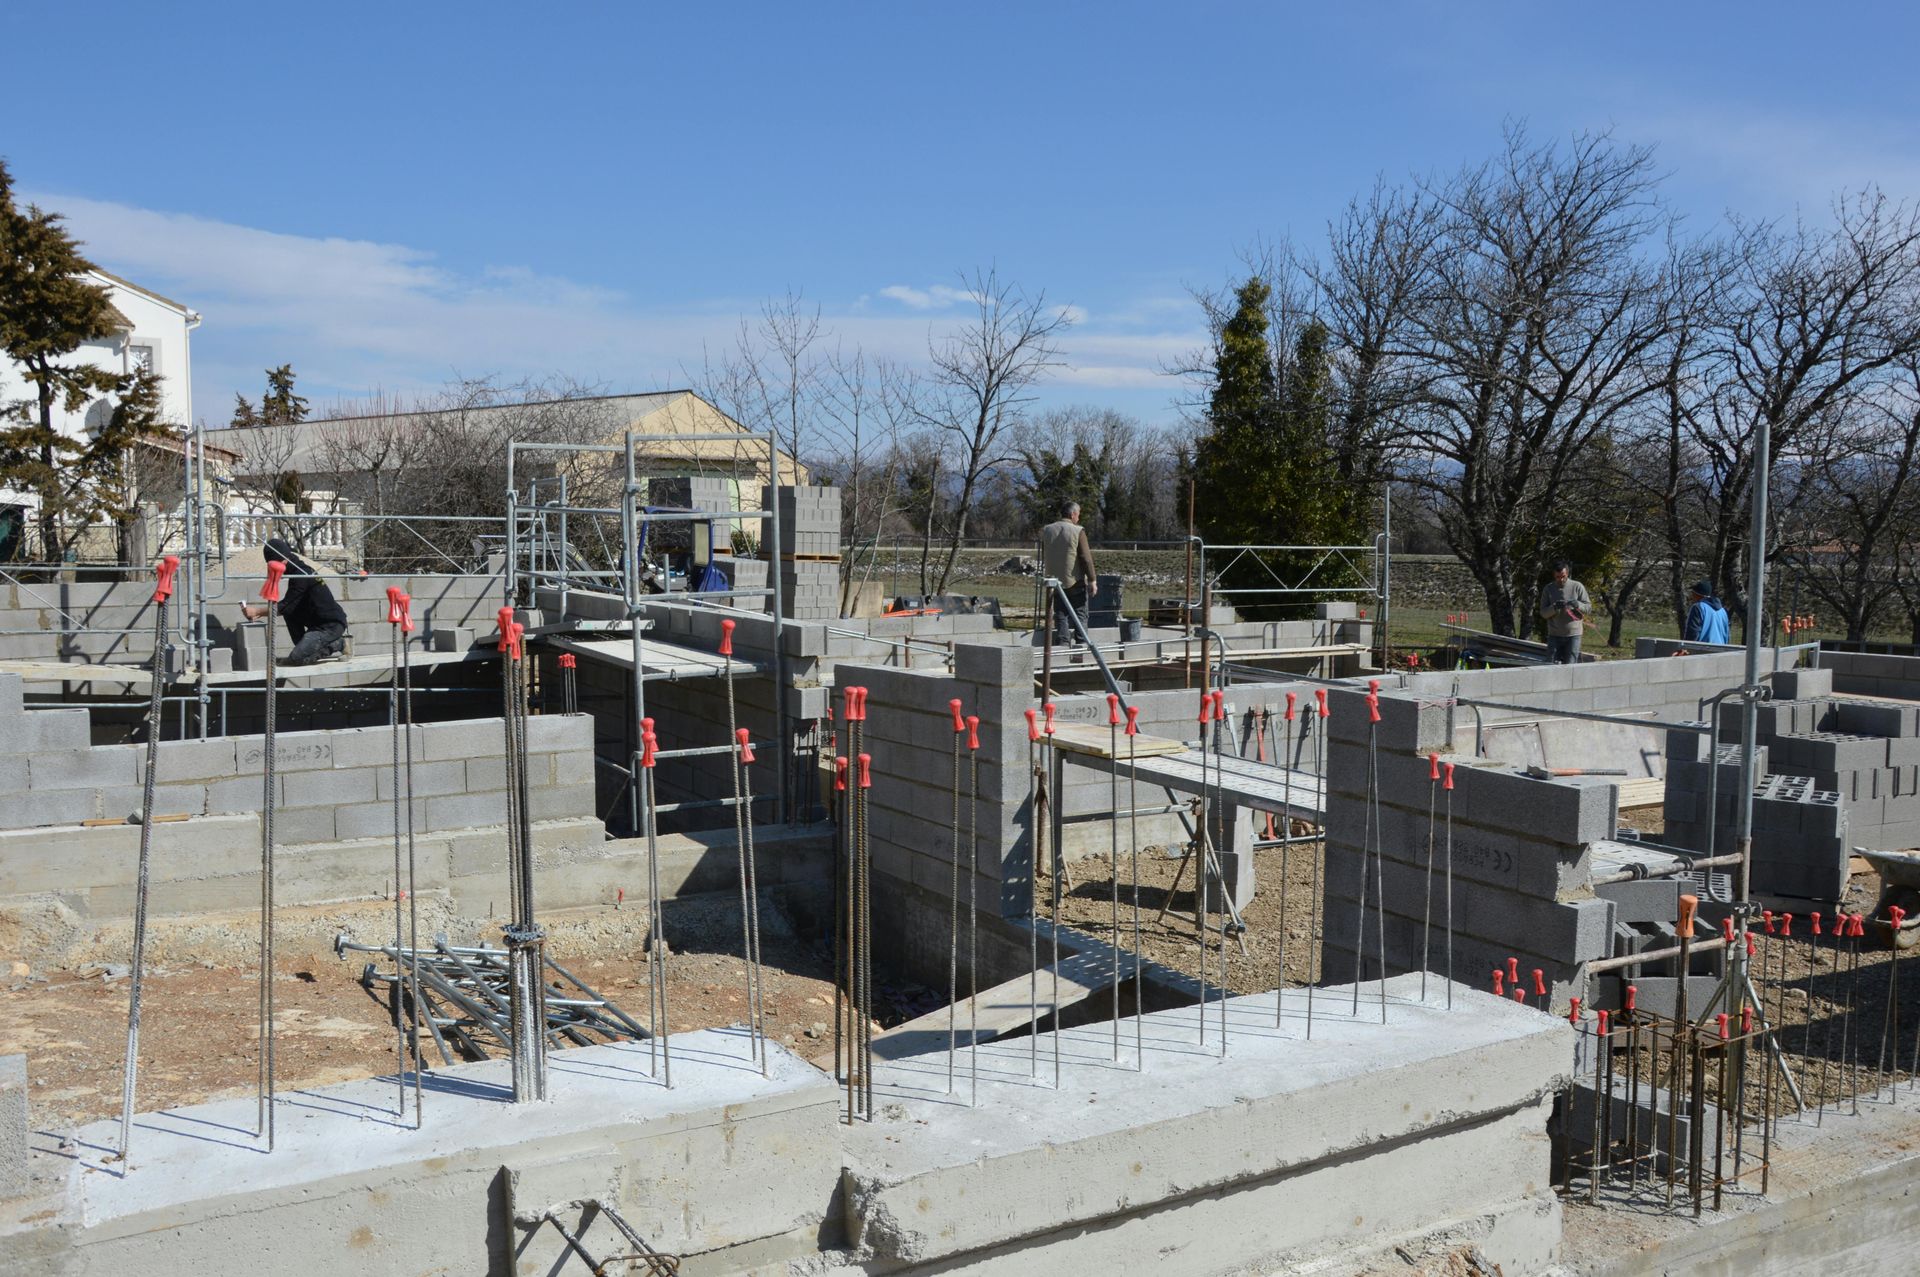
[(49, 310)]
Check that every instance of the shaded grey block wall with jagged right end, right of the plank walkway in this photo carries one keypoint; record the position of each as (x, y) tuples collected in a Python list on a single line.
[(1522, 854)]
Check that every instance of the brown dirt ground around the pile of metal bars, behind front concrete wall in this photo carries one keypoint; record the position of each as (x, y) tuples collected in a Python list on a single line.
[(199, 1024)]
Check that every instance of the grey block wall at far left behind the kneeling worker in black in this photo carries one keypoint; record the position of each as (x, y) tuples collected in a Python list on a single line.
[(82, 623)]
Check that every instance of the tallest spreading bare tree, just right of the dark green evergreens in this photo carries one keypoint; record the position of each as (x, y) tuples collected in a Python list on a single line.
[(1539, 327)]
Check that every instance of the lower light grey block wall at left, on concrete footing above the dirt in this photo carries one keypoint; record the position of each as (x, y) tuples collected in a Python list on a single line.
[(329, 784)]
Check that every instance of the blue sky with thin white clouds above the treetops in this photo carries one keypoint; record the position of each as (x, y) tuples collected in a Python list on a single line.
[(396, 195)]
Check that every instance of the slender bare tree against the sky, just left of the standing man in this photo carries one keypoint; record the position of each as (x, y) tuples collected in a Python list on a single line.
[(982, 385)]
